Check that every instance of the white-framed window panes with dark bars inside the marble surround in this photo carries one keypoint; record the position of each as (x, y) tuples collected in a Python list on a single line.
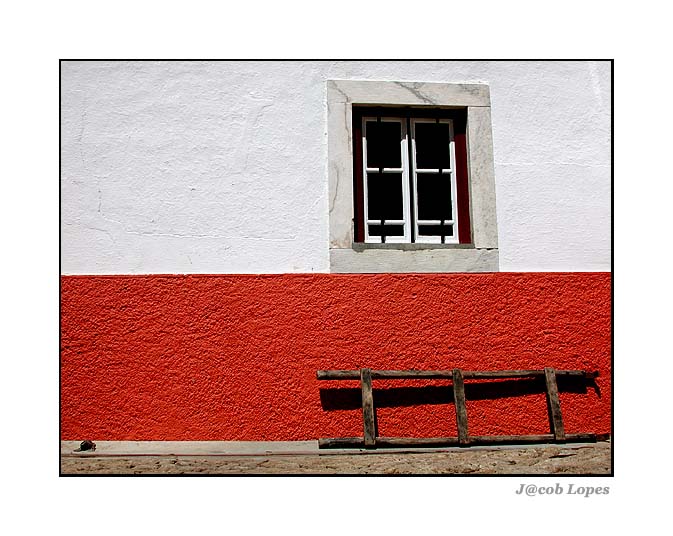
[(410, 170)]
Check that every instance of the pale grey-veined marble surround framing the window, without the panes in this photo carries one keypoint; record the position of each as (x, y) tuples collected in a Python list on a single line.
[(349, 257)]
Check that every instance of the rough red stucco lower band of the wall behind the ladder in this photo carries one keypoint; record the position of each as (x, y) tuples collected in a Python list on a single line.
[(233, 357)]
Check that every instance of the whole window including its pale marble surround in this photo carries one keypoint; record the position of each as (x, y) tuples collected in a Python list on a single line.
[(427, 210)]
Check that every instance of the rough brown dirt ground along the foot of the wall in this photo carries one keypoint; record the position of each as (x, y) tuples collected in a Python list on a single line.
[(594, 459)]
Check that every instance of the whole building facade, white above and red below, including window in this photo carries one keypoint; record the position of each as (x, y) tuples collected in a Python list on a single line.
[(230, 228)]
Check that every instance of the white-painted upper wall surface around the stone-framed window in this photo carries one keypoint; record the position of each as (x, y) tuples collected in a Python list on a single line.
[(220, 167)]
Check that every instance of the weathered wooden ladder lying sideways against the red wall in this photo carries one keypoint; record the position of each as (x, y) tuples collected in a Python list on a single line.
[(458, 377)]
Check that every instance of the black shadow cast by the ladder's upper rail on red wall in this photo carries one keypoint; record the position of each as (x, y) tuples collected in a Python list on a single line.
[(349, 398)]
